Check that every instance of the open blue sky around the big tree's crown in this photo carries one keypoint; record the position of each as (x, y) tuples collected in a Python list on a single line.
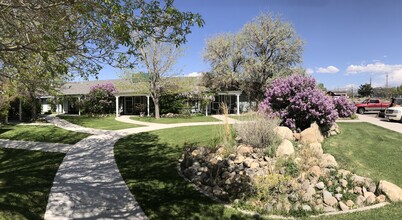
[(347, 42)]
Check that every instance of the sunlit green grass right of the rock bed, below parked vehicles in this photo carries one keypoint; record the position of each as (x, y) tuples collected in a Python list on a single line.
[(368, 150)]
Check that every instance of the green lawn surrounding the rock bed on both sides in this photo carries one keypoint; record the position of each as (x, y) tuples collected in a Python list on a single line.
[(147, 162)]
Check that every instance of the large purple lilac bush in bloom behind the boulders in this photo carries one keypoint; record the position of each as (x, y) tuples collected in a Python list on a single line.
[(298, 103)]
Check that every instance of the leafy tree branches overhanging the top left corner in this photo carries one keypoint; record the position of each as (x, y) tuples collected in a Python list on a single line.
[(78, 37)]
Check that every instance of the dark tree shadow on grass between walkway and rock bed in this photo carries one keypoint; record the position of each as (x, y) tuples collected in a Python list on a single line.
[(149, 169)]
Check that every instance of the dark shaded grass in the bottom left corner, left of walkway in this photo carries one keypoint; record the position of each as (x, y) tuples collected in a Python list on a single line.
[(25, 181)]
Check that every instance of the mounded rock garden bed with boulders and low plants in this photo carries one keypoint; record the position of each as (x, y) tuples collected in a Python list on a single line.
[(298, 179)]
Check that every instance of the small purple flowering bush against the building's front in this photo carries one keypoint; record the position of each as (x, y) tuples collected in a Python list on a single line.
[(100, 99)]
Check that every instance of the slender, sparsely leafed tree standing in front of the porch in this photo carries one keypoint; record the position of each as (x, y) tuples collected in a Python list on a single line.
[(159, 59)]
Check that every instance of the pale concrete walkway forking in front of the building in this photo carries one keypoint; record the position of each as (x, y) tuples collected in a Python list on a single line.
[(88, 183)]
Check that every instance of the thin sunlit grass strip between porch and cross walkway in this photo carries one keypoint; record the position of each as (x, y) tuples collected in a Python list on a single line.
[(176, 120)]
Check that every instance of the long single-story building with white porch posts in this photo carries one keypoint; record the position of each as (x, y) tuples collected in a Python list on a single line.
[(134, 98)]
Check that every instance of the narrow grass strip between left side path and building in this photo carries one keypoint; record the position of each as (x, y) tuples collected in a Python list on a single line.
[(47, 133)]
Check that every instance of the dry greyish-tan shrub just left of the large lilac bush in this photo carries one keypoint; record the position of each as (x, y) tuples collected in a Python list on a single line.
[(258, 131)]
